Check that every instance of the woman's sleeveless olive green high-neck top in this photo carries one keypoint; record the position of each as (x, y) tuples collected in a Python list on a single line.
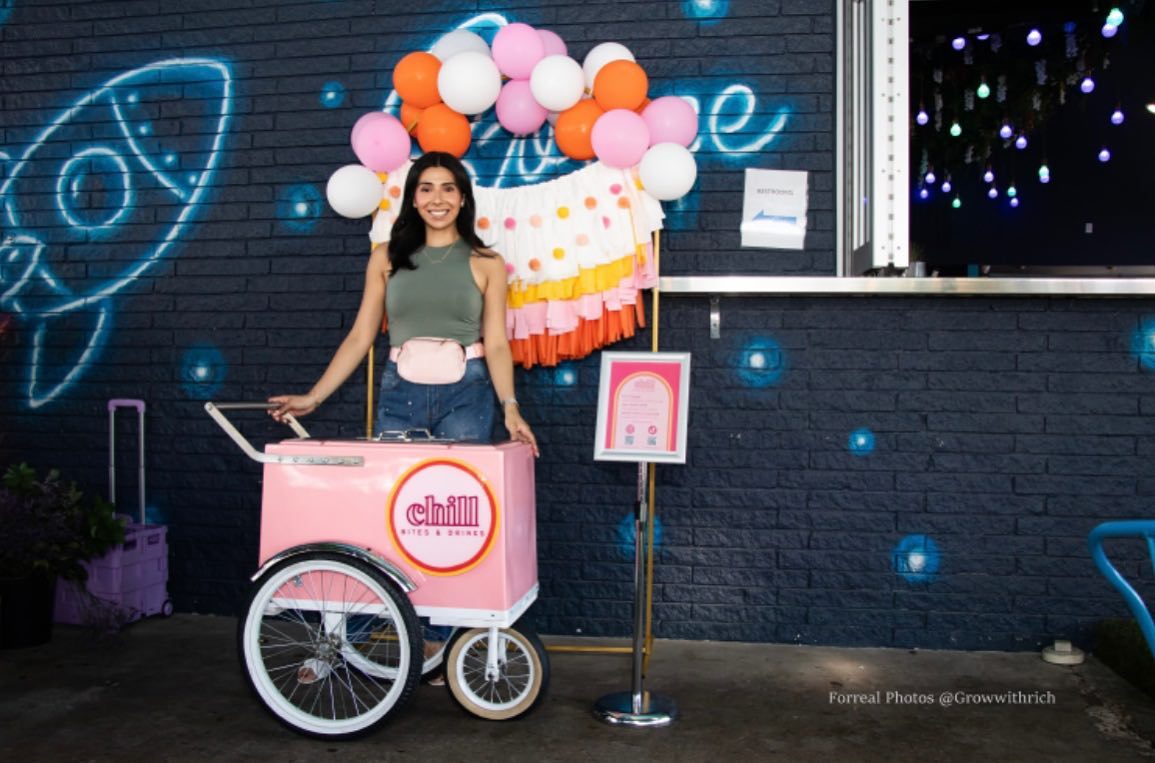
[(439, 300)]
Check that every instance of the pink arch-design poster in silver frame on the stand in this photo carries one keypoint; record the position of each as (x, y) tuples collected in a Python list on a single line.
[(643, 406)]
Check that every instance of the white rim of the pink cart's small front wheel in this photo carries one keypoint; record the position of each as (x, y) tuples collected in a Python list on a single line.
[(518, 672)]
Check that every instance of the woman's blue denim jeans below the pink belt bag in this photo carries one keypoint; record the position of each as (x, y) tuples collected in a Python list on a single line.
[(464, 412)]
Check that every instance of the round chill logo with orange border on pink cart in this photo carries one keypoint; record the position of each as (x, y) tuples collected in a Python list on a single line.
[(443, 517)]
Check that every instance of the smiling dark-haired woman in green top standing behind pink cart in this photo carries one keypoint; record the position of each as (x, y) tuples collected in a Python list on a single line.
[(443, 294)]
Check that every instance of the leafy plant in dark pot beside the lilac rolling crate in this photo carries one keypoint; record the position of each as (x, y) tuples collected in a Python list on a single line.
[(50, 528)]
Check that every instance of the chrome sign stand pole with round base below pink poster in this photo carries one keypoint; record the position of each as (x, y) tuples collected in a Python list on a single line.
[(638, 707)]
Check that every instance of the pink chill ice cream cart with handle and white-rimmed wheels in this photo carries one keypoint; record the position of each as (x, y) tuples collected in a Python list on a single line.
[(363, 538)]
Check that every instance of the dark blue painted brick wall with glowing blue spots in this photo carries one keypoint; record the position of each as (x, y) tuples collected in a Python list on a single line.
[(1003, 429)]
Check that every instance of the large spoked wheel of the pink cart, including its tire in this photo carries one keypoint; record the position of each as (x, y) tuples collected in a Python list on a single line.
[(330, 646)]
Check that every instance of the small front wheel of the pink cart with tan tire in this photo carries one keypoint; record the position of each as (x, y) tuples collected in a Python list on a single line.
[(521, 680)]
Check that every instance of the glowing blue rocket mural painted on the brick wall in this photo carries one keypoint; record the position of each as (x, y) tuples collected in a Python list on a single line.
[(102, 195)]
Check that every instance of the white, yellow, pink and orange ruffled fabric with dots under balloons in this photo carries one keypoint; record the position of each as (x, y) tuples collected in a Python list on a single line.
[(578, 250)]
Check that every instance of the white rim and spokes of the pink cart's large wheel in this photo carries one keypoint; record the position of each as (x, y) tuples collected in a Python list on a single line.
[(333, 705)]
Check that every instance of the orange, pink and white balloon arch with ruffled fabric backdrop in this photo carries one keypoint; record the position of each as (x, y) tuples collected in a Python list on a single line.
[(578, 249)]
